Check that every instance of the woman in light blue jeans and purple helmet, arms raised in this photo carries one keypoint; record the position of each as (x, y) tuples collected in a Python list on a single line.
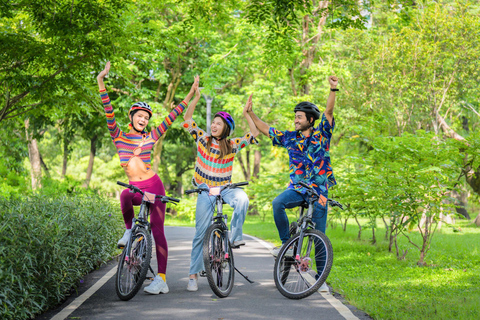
[(214, 164)]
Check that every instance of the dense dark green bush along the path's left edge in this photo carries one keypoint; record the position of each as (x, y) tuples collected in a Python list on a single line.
[(47, 245)]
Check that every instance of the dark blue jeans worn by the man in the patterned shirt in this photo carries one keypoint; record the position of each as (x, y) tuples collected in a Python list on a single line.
[(289, 199)]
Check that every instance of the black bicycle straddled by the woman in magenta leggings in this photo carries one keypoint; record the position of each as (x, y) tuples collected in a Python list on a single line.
[(134, 261)]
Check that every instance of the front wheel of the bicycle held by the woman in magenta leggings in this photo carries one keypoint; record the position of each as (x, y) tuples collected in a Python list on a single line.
[(133, 265)]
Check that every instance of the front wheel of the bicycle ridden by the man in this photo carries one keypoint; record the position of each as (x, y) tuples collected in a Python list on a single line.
[(300, 276)]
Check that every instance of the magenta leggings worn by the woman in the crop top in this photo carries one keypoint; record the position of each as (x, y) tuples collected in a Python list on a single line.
[(157, 215)]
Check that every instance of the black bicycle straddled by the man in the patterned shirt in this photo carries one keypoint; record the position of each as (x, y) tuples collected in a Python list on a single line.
[(300, 274)]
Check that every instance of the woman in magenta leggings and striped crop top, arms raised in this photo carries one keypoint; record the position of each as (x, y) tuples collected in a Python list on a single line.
[(134, 148)]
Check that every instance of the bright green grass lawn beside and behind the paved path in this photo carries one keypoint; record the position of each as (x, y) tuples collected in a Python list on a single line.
[(373, 280)]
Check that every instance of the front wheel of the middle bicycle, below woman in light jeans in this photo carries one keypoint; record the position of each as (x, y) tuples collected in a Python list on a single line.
[(219, 266)]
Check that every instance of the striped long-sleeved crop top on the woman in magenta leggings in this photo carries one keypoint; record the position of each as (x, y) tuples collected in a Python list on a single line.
[(126, 143)]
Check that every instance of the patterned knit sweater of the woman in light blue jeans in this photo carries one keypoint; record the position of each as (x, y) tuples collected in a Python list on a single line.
[(209, 168)]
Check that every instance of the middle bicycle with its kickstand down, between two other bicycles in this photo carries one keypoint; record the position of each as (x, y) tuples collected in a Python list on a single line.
[(217, 249)]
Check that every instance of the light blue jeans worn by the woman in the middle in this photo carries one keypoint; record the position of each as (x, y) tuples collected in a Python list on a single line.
[(237, 199)]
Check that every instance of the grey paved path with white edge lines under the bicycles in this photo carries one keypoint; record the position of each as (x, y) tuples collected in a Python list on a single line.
[(96, 297)]
